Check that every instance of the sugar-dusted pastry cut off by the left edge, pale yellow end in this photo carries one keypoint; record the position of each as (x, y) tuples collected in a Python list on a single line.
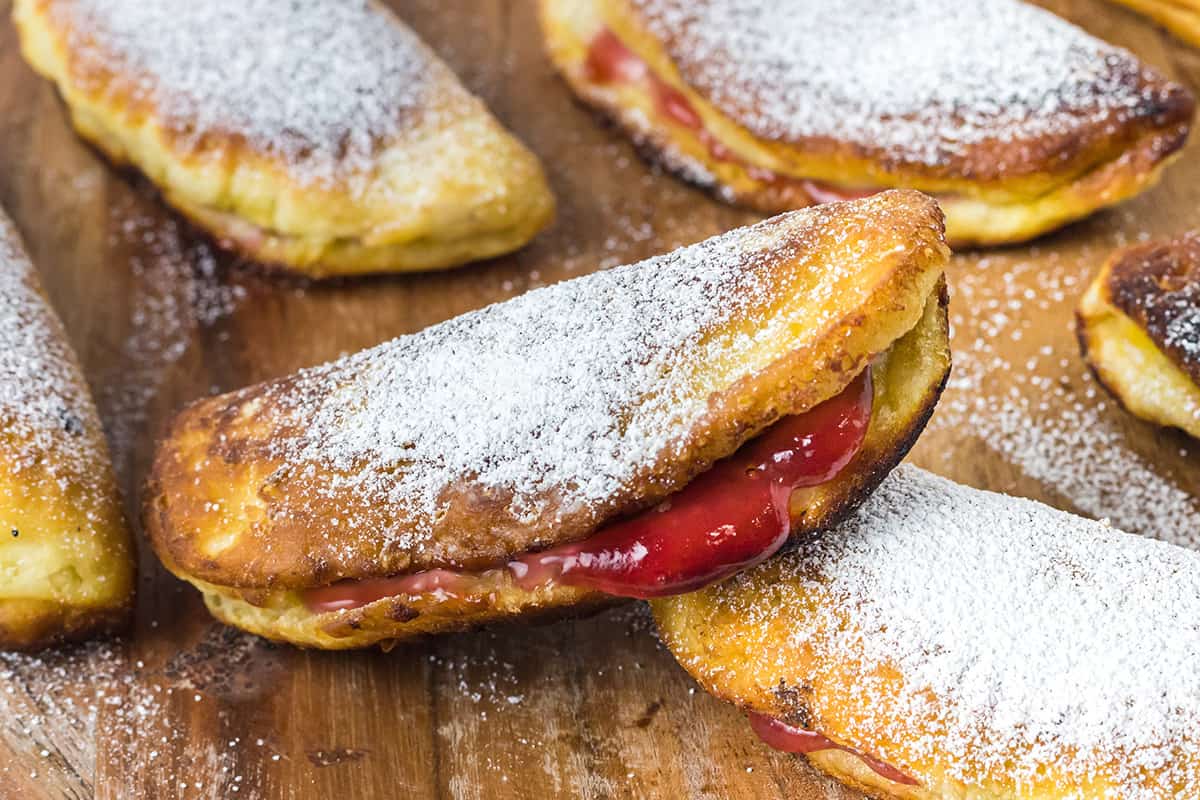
[(67, 557)]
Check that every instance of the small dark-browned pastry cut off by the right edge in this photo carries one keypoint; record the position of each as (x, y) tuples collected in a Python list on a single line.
[(1139, 330)]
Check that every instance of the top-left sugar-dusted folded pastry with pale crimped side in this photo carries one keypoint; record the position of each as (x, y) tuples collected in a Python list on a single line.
[(320, 136)]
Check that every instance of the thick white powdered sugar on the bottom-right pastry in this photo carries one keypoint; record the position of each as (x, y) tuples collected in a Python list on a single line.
[(1023, 635)]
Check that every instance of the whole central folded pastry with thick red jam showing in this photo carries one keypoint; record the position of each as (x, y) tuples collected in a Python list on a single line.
[(637, 432)]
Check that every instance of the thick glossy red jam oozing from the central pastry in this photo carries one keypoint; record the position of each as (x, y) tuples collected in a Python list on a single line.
[(729, 519)]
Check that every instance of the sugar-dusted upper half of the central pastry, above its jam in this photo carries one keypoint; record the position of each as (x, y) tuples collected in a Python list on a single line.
[(531, 422)]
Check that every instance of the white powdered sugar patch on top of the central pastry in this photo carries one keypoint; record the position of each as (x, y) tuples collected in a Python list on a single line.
[(565, 393)]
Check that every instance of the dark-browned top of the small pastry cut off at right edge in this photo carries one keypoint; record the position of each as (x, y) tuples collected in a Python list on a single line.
[(1159, 287)]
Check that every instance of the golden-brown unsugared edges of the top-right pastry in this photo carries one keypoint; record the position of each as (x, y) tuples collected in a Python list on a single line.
[(981, 210)]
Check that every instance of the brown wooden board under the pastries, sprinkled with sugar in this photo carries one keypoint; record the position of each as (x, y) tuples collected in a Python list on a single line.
[(593, 708)]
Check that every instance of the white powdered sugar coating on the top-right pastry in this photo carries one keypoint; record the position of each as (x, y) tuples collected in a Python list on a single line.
[(922, 79)]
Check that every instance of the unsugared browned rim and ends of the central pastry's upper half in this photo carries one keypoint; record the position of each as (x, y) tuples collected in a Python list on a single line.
[(227, 442)]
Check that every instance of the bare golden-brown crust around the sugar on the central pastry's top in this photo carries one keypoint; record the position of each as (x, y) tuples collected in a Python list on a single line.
[(223, 508)]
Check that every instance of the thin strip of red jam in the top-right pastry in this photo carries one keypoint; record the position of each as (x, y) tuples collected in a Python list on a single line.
[(610, 62)]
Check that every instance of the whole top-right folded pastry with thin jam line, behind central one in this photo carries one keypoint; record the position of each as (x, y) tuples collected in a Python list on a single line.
[(1015, 119)]
